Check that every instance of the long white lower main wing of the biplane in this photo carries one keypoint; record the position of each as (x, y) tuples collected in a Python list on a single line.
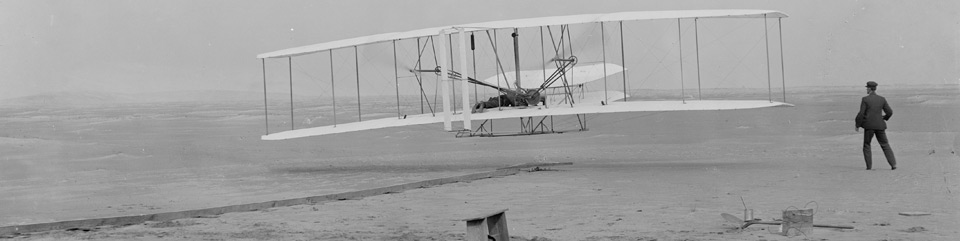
[(584, 108)]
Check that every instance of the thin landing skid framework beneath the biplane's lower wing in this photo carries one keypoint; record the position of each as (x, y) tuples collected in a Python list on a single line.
[(528, 126)]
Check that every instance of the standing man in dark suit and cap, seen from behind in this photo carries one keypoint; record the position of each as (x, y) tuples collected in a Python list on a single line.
[(874, 112)]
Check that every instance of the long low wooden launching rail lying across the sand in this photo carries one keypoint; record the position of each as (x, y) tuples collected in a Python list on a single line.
[(159, 217)]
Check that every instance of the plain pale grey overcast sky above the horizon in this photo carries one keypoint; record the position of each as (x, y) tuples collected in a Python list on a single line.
[(172, 45)]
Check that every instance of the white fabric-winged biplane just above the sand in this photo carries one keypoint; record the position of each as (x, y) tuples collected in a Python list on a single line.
[(554, 87)]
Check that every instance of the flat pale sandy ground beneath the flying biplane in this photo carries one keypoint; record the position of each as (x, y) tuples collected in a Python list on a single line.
[(636, 176)]
